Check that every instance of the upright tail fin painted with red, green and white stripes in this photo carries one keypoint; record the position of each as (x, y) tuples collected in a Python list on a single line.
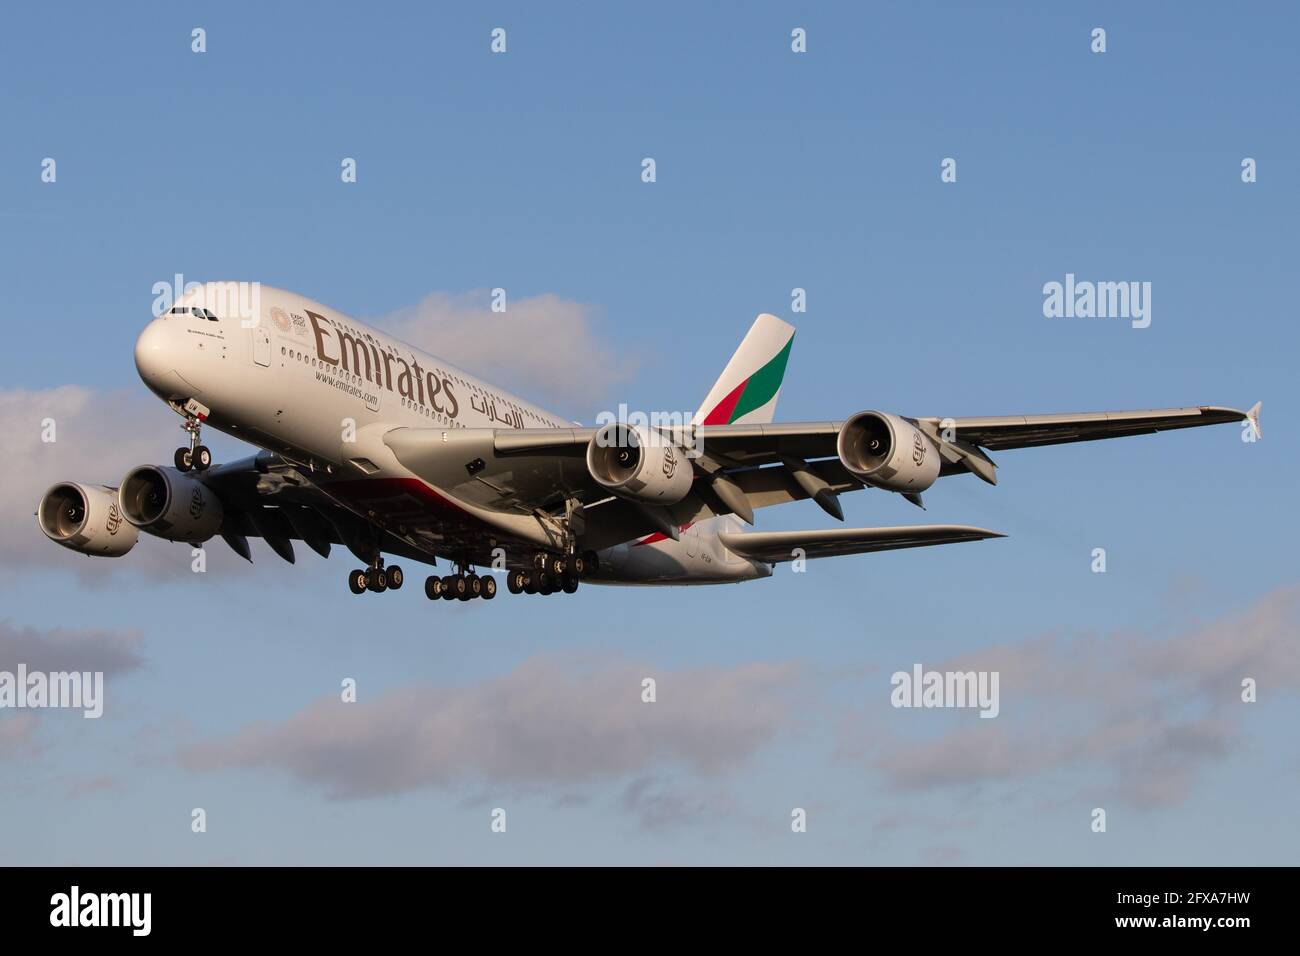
[(748, 388)]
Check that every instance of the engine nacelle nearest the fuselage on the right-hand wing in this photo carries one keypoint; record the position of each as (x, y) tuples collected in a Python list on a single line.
[(639, 464)]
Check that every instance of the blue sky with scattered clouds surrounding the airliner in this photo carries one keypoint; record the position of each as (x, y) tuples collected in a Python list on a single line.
[(775, 171)]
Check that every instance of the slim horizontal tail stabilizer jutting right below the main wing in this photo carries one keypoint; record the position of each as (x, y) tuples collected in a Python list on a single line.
[(774, 547)]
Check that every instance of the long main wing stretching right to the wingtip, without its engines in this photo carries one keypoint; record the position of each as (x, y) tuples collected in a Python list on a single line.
[(531, 470)]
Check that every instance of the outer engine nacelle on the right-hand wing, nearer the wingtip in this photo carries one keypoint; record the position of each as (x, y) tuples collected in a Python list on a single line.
[(889, 452)]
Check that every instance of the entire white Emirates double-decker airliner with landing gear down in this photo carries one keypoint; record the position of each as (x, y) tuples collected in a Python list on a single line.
[(375, 445)]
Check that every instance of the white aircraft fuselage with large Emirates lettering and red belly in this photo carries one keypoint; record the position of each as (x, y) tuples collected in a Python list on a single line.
[(300, 379)]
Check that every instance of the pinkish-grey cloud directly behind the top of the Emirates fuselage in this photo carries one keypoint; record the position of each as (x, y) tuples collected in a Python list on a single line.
[(544, 348)]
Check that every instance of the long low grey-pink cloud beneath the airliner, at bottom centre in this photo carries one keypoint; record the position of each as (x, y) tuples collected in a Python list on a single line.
[(544, 724)]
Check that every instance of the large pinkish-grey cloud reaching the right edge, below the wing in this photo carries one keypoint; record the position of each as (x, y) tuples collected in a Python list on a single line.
[(1149, 712)]
